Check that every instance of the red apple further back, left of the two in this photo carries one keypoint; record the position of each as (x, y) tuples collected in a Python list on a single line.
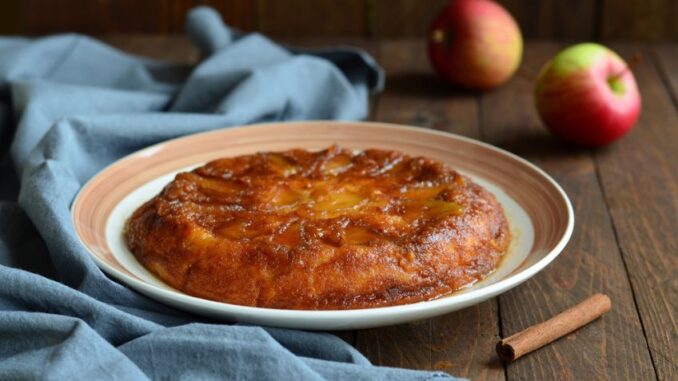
[(475, 44)]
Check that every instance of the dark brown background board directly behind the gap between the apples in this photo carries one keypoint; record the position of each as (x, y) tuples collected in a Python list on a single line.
[(548, 19)]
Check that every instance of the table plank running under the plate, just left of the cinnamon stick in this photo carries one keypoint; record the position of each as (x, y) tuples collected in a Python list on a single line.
[(460, 343)]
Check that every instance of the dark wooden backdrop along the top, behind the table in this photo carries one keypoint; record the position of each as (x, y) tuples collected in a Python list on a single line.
[(544, 19)]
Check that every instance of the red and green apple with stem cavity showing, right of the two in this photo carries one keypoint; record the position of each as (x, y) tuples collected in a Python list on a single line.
[(587, 95)]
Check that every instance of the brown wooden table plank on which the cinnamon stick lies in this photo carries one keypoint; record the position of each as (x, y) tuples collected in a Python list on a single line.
[(613, 347)]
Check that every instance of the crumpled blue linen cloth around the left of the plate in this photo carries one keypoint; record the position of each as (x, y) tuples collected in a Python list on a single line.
[(69, 106)]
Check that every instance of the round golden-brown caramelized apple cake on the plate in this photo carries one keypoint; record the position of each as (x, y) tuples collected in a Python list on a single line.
[(333, 229)]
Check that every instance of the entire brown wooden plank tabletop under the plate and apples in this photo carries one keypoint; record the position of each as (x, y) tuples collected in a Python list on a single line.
[(625, 198)]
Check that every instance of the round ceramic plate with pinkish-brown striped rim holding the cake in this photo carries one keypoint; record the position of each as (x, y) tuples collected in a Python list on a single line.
[(539, 212)]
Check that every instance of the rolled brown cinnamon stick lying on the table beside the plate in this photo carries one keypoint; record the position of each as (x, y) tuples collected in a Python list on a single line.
[(558, 326)]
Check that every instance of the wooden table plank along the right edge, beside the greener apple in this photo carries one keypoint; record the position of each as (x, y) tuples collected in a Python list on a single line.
[(640, 180)]
